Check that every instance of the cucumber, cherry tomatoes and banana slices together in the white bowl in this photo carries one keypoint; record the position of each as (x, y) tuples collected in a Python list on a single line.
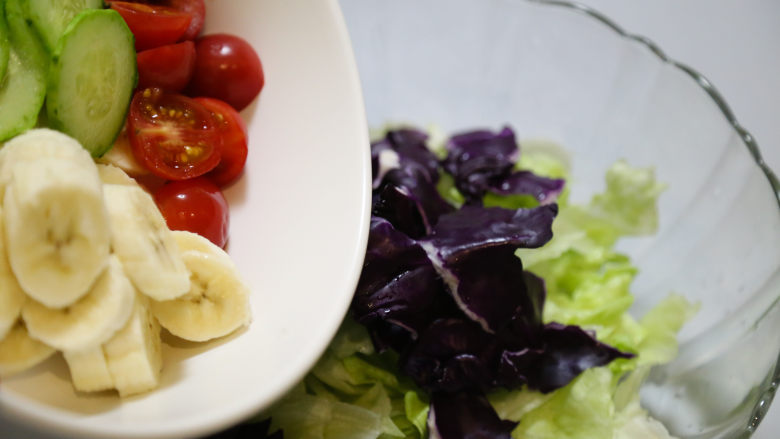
[(120, 126)]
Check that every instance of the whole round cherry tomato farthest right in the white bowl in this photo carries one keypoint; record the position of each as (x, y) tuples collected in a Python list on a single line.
[(226, 68)]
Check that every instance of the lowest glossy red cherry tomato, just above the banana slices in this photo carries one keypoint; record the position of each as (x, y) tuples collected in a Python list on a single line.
[(195, 205)]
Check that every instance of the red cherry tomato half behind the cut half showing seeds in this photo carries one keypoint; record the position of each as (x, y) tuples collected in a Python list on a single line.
[(233, 147)]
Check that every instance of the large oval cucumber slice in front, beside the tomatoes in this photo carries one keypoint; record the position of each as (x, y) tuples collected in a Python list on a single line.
[(91, 79)]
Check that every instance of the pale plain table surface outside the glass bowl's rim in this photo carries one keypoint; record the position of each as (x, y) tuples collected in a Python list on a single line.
[(736, 45)]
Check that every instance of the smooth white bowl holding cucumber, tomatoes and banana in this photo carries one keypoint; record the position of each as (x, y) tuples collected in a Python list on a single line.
[(298, 234)]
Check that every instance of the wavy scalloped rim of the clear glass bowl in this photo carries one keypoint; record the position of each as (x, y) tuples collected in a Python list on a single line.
[(761, 407)]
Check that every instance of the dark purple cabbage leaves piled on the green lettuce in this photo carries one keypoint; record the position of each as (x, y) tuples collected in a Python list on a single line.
[(445, 289)]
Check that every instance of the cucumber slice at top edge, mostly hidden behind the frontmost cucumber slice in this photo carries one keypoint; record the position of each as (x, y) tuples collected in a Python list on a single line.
[(51, 17)]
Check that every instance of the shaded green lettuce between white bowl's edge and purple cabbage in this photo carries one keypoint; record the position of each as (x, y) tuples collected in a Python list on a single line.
[(351, 393)]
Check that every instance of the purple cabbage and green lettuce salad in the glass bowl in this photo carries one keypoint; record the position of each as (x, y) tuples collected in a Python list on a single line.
[(489, 305)]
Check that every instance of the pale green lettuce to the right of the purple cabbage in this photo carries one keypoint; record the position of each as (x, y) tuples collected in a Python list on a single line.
[(588, 284)]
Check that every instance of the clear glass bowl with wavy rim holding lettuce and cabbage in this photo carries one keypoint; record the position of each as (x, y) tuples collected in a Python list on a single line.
[(561, 71)]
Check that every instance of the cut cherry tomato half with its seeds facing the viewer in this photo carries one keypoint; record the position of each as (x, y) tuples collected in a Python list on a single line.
[(172, 135)]
